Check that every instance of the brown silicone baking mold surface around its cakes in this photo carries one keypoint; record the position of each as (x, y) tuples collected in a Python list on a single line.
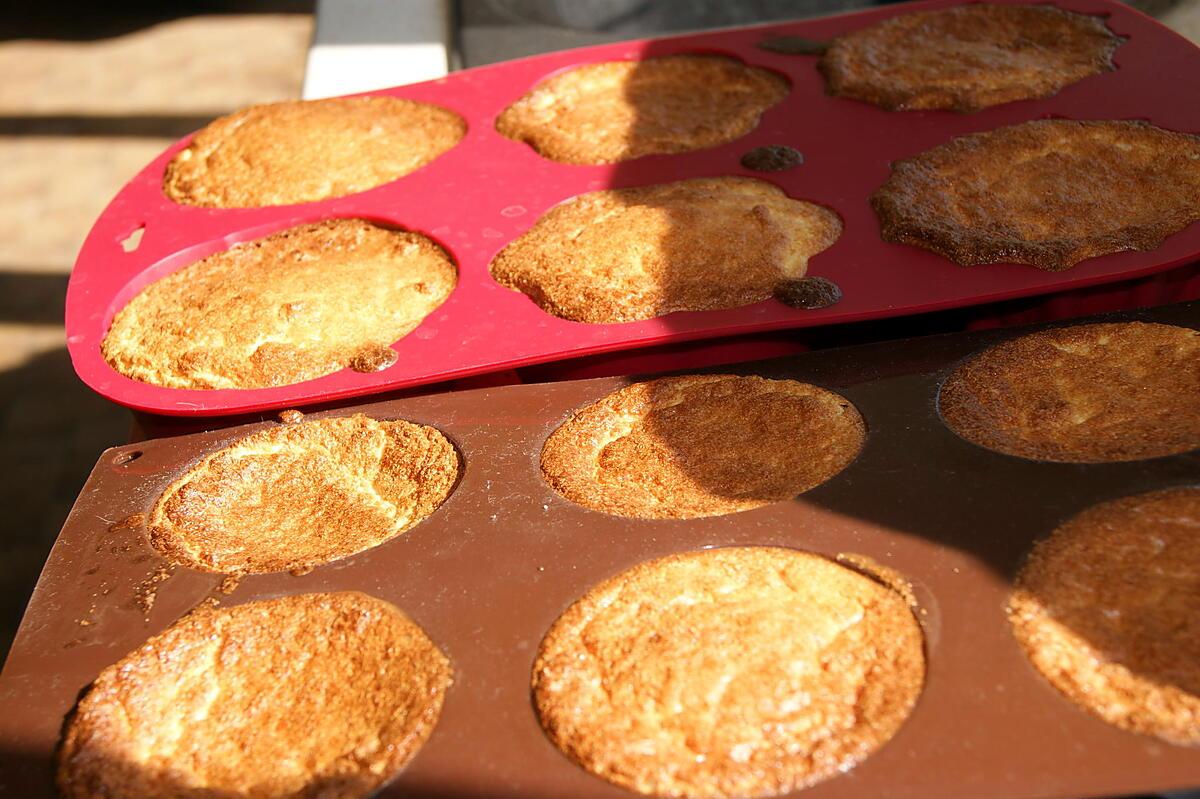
[(490, 572)]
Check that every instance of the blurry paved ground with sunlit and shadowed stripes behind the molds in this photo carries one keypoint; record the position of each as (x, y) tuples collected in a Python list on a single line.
[(91, 93)]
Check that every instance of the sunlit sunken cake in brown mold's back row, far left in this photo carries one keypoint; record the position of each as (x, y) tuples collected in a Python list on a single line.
[(298, 496)]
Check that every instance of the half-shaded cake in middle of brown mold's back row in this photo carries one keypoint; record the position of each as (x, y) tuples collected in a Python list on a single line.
[(701, 446)]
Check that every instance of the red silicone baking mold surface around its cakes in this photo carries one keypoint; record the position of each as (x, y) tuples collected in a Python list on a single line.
[(489, 190)]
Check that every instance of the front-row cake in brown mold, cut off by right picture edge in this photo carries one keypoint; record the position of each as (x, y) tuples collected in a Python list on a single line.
[(1107, 610)]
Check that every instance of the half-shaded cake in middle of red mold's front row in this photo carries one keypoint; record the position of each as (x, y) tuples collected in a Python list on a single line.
[(694, 245)]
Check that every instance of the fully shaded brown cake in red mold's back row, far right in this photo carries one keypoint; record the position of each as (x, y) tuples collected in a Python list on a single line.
[(969, 57)]
